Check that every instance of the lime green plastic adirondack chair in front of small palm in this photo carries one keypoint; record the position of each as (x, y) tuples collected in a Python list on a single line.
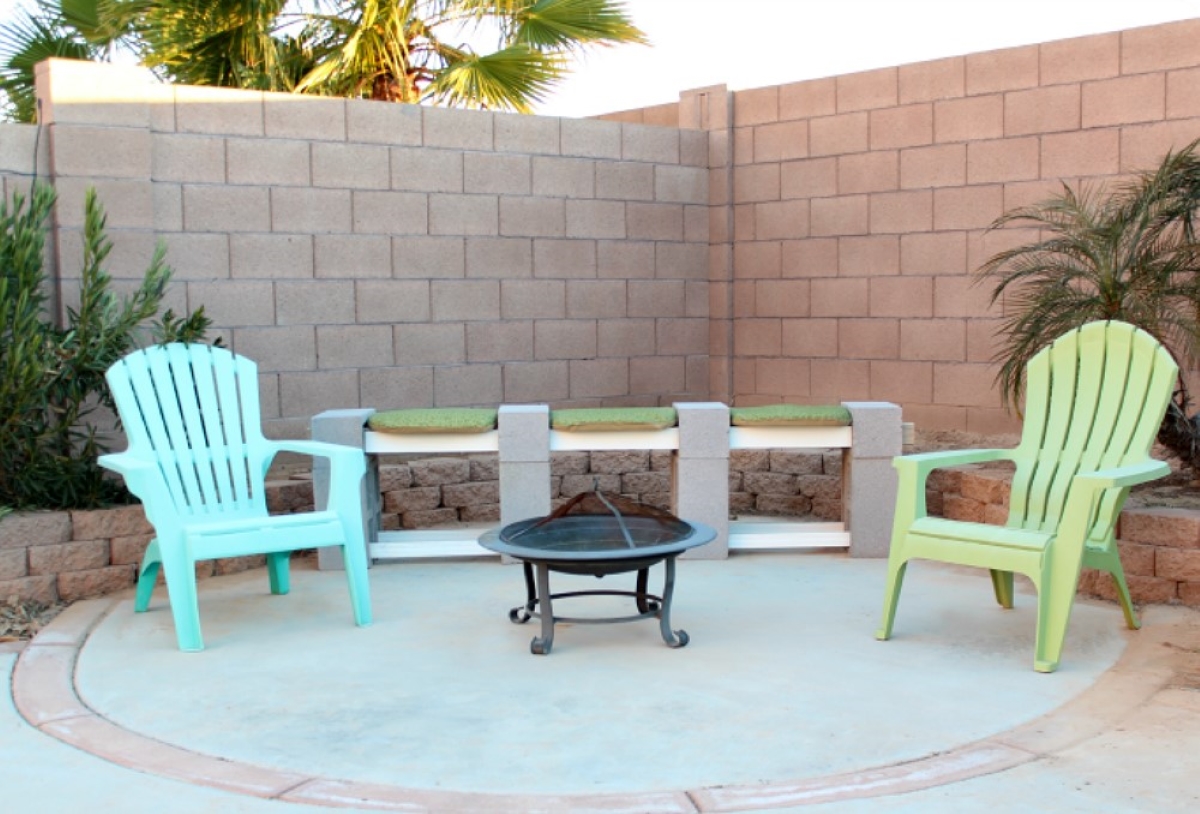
[(1095, 402)]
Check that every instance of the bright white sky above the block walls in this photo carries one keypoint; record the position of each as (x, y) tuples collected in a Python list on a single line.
[(753, 44)]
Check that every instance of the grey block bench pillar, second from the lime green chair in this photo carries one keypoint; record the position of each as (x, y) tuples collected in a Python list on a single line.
[(700, 474)]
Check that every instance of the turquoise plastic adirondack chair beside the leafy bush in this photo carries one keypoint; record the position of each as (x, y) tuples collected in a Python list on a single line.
[(199, 462)]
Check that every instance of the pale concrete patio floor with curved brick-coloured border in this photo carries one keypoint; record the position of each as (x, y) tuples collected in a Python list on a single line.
[(783, 701)]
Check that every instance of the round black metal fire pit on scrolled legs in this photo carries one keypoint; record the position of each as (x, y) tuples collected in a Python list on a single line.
[(597, 535)]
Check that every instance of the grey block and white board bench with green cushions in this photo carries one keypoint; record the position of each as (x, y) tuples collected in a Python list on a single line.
[(700, 436)]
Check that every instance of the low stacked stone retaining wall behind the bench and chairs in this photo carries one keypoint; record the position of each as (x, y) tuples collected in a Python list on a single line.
[(63, 556)]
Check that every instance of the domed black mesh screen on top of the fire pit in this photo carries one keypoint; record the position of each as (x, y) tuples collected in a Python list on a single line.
[(596, 514)]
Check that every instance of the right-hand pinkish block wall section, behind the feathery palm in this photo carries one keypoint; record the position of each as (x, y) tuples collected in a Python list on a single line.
[(857, 210)]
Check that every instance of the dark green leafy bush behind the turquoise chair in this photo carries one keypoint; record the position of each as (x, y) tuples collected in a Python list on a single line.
[(52, 378)]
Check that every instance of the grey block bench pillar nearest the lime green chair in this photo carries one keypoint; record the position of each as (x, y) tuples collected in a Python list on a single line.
[(868, 481)]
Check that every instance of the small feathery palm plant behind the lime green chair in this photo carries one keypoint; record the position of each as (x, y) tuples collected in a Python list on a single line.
[(1129, 255)]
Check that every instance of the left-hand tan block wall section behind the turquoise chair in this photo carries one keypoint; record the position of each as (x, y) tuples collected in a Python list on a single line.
[(393, 256)]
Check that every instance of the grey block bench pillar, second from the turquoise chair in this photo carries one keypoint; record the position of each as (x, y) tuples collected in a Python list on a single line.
[(525, 462)]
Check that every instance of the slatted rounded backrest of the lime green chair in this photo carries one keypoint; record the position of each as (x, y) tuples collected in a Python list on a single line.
[(1096, 400)]
